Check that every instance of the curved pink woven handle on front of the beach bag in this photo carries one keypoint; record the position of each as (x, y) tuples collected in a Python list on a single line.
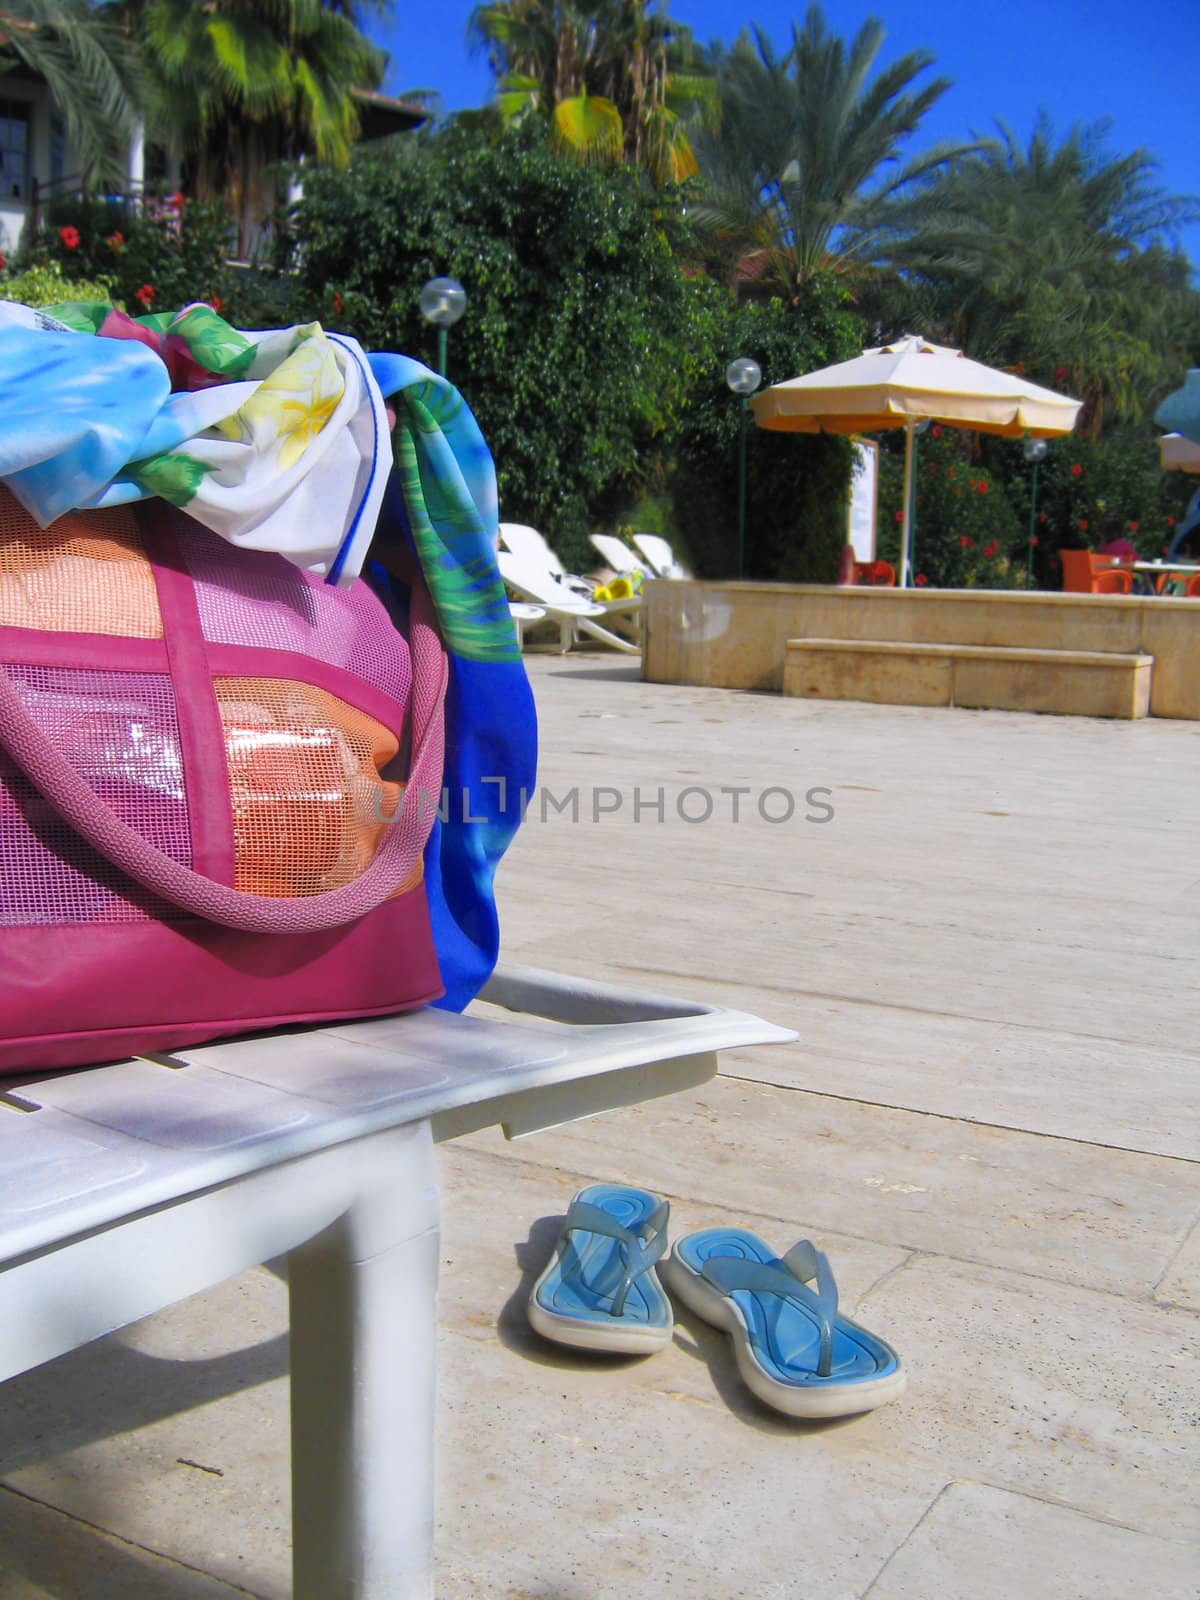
[(95, 822)]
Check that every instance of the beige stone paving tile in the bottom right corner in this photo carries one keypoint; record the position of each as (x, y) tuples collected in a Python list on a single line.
[(994, 1545)]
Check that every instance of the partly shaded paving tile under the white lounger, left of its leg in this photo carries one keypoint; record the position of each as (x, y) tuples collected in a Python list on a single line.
[(172, 1434)]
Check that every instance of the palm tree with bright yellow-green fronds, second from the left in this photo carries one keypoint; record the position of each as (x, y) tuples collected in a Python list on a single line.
[(249, 84)]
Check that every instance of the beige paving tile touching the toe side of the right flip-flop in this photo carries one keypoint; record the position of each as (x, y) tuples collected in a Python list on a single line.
[(1060, 1393)]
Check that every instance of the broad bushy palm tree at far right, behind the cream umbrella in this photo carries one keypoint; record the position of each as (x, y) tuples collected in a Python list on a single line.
[(1055, 257)]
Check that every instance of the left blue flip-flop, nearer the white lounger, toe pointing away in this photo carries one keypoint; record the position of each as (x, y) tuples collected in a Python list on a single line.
[(601, 1290)]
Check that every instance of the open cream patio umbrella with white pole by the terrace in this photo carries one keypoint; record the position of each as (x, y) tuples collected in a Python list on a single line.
[(903, 385)]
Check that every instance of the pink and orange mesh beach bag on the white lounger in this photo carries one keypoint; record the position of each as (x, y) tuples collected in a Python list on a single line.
[(206, 756)]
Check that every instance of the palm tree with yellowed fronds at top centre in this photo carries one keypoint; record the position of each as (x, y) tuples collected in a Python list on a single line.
[(615, 79)]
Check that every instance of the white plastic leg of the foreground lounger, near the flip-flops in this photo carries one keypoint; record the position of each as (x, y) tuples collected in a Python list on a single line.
[(364, 1321)]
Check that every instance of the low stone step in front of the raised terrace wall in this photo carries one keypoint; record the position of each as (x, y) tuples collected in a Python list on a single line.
[(994, 678)]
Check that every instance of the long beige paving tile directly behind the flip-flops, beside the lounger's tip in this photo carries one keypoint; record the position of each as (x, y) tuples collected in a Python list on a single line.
[(1050, 1207)]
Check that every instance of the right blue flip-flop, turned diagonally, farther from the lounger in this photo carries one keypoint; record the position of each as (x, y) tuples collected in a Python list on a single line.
[(793, 1348)]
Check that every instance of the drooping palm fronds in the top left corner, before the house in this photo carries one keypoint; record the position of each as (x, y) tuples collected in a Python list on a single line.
[(94, 78)]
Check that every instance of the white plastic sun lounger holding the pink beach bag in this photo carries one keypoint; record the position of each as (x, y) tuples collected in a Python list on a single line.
[(129, 1188)]
